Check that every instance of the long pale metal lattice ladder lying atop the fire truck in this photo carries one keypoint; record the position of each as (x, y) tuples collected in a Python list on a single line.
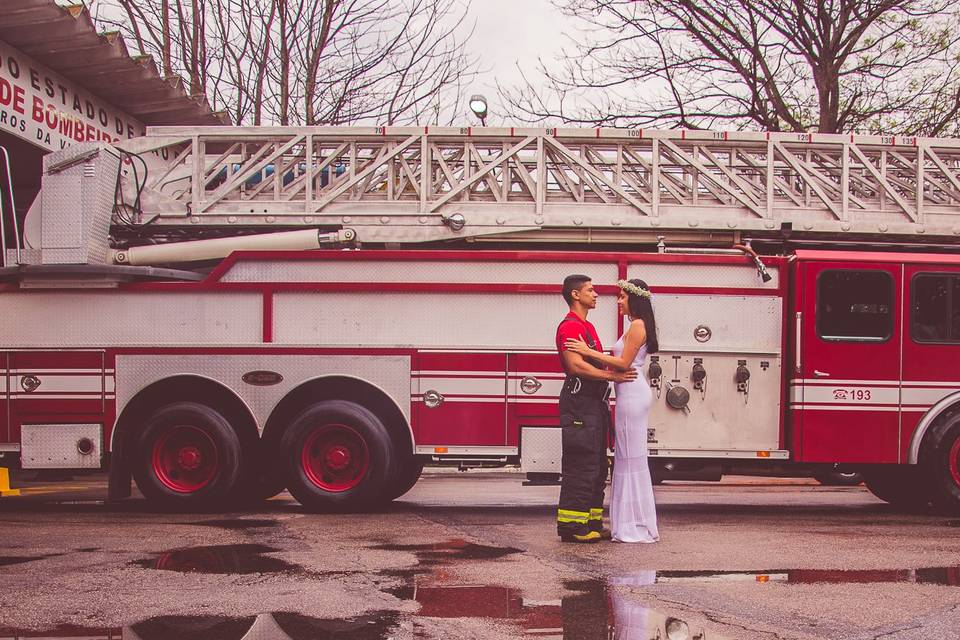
[(417, 184)]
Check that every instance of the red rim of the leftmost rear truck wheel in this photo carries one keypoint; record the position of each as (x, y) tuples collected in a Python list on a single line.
[(185, 459)]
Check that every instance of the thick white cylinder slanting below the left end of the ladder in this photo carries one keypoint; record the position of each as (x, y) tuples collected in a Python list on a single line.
[(214, 248)]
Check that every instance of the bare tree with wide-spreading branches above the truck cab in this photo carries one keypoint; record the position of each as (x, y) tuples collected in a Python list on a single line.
[(796, 65)]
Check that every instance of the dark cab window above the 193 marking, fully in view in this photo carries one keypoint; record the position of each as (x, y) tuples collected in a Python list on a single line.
[(854, 305)]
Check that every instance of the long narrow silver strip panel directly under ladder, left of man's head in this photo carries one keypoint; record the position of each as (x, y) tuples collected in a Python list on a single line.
[(425, 271)]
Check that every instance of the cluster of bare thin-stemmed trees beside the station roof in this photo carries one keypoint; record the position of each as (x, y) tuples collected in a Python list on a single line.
[(312, 61)]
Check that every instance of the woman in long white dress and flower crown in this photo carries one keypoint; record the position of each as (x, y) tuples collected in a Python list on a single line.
[(633, 513)]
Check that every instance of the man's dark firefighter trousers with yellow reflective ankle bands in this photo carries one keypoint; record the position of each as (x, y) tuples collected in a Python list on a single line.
[(584, 423)]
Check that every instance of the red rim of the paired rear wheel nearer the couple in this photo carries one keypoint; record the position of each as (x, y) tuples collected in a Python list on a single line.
[(335, 457)]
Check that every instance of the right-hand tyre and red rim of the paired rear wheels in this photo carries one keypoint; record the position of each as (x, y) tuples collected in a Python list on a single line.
[(337, 456)]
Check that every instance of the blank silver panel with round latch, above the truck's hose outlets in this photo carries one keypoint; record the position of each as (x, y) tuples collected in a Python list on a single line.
[(742, 324)]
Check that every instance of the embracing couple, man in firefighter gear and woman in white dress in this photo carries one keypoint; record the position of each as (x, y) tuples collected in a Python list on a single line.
[(585, 418)]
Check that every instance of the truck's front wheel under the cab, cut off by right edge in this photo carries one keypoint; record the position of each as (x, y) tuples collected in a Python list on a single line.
[(940, 459)]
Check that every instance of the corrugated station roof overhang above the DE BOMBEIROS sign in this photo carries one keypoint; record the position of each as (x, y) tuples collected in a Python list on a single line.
[(65, 39)]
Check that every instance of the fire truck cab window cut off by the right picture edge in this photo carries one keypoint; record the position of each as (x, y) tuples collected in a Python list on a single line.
[(935, 307)]
